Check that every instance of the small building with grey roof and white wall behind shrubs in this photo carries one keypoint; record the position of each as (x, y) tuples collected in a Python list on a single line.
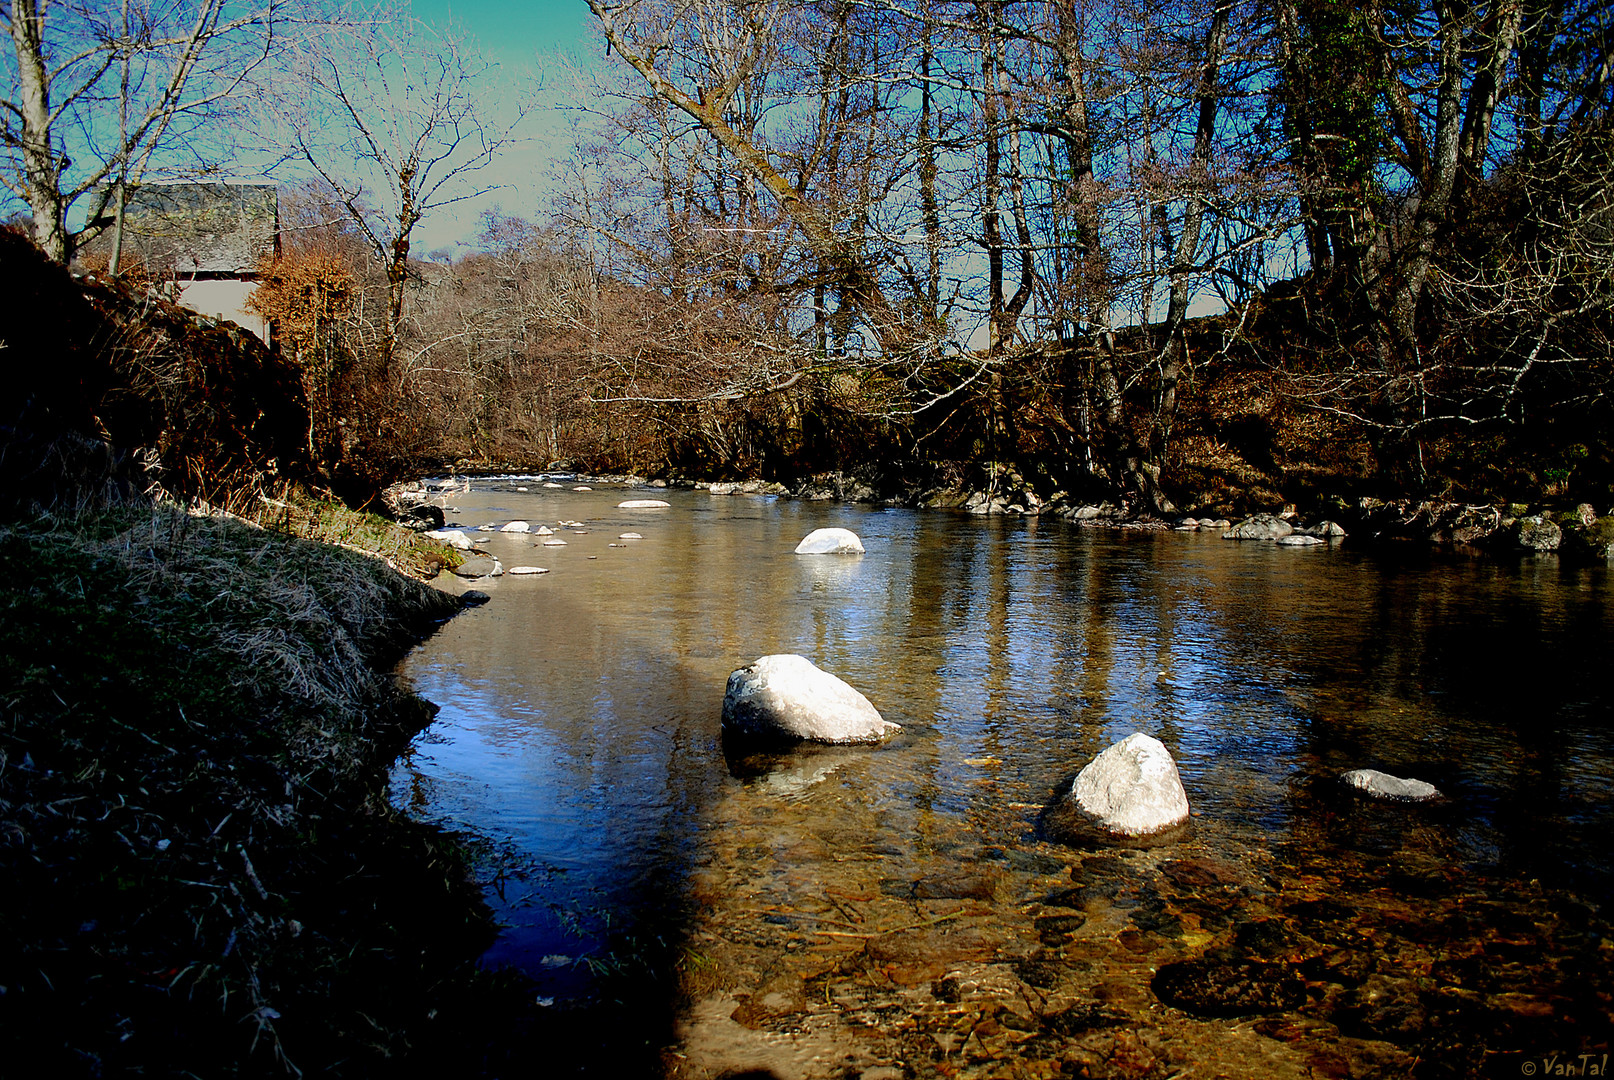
[(204, 241)]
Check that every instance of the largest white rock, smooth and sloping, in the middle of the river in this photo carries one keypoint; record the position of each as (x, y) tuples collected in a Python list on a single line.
[(788, 698)]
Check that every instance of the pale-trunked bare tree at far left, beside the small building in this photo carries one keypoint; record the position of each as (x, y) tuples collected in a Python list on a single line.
[(102, 96)]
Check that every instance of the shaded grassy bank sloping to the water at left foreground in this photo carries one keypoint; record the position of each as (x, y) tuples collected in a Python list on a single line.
[(203, 873)]
